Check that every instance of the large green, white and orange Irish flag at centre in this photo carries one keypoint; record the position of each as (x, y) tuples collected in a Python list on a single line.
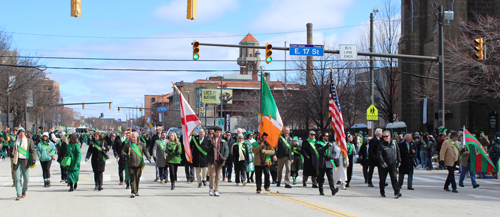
[(270, 119)]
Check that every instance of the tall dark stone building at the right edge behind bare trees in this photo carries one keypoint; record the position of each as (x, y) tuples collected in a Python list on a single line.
[(419, 36)]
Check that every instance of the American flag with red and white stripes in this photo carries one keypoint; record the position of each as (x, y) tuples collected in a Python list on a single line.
[(336, 115)]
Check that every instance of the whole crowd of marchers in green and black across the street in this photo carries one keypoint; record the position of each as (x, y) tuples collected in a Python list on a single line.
[(216, 154)]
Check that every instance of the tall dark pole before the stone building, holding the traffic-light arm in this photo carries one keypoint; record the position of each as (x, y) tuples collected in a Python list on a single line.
[(441, 65)]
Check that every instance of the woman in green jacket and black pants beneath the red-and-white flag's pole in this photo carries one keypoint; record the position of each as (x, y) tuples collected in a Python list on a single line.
[(174, 151)]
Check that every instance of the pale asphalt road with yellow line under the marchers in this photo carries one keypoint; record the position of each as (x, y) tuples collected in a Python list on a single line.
[(428, 198)]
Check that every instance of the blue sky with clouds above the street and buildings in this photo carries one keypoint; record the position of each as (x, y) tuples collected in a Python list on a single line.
[(122, 23)]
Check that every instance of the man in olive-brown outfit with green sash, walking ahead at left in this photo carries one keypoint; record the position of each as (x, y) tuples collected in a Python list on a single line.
[(134, 152)]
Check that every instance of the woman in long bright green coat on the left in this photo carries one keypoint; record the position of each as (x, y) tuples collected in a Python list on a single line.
[(73, 169)]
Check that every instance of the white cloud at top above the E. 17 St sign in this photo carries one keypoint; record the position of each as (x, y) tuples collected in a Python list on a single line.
[(282, 15)]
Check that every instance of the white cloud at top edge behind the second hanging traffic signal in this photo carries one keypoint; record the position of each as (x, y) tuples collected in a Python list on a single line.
[(206, 9)]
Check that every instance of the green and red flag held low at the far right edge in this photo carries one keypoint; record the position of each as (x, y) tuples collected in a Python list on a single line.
[(479, 159)]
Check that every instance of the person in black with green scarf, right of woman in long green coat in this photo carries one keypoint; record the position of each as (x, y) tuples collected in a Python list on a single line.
[(98, 150)]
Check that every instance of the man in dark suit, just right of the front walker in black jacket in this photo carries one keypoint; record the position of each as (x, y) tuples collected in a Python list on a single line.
[(407, 153)]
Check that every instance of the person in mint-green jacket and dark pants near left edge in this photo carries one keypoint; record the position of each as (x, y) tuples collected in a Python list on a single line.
[(46, 152)]
